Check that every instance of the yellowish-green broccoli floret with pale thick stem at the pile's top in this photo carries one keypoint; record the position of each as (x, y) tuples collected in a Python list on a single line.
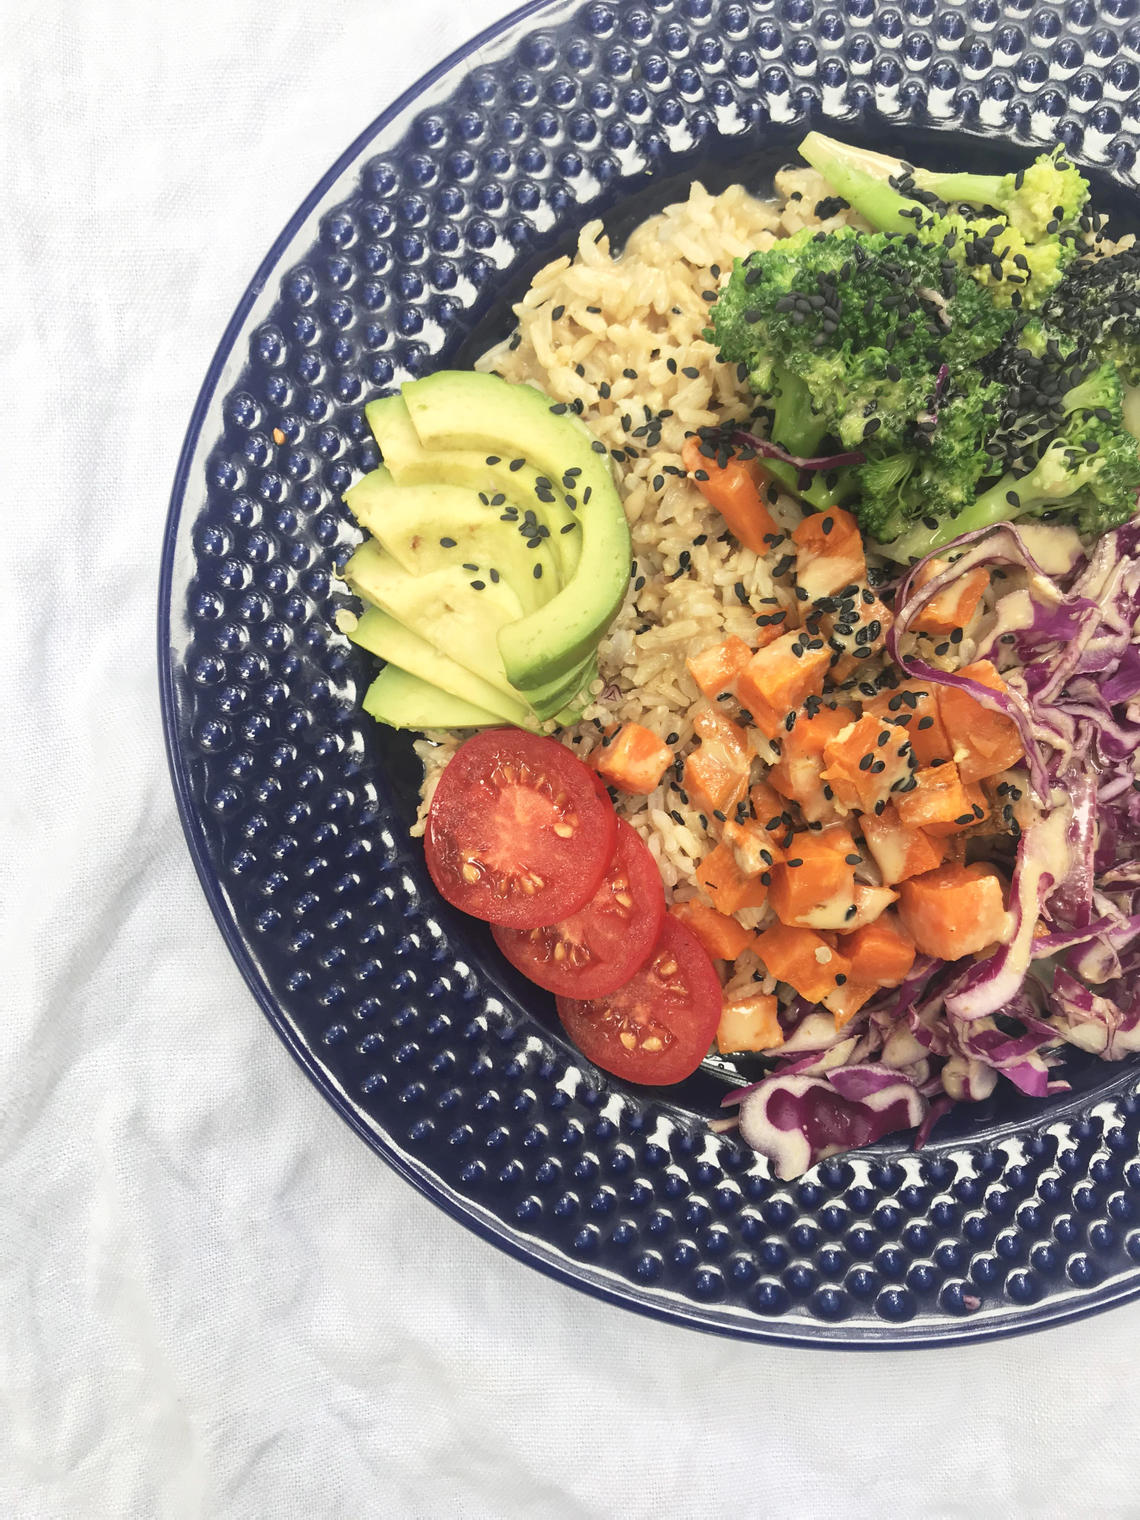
[(1012, 255)]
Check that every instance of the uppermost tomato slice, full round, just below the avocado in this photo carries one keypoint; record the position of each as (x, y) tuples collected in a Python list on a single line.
[(521, 832)]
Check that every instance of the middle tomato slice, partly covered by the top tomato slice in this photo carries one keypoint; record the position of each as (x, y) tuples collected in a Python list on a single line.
[(601, 946)]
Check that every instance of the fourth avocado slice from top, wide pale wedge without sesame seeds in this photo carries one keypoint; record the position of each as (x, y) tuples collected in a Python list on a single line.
[(442, 607)]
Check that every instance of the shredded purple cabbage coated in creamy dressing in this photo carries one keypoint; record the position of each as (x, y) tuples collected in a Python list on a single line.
[(1069, 972)]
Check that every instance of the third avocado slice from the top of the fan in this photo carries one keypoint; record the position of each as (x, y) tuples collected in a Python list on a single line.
[(435, 527)]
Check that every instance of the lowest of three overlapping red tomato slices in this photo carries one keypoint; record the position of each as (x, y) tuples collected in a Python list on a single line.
[(659, 1027)]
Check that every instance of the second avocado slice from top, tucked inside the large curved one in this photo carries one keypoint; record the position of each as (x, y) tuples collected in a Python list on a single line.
[(480, 470)]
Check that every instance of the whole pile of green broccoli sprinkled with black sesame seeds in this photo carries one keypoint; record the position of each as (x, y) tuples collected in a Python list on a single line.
[(954, 369)]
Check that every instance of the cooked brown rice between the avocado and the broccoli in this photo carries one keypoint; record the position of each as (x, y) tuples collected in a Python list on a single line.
[(624, 337)]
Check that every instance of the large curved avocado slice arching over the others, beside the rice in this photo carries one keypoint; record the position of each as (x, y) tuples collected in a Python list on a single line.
[(464, 411)]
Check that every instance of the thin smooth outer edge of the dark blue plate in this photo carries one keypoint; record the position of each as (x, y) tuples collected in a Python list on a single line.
[(530, 1252)]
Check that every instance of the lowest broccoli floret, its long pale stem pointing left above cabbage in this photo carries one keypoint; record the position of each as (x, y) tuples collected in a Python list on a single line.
[(1088, 475)]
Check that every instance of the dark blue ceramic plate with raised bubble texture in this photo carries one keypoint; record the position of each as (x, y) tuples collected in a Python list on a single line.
[(404, 259)]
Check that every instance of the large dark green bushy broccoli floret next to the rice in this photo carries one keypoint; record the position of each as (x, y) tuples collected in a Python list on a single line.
[(849, 341)]
